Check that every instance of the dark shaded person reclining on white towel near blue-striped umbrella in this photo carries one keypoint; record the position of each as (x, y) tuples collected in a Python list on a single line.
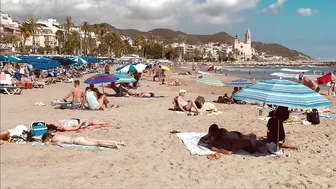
[(222, 141)]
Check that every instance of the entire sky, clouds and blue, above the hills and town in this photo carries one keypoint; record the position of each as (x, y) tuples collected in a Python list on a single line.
[(308, 26)]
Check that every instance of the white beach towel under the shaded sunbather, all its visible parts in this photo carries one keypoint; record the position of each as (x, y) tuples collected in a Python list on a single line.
[(192, 141)]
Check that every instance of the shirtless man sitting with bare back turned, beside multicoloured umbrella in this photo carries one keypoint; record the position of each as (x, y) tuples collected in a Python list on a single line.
[(77, 96)]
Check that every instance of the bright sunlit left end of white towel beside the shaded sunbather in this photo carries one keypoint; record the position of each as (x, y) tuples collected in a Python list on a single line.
[(191, 141)]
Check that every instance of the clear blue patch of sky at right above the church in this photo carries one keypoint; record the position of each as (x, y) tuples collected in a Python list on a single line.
[(314, 35)]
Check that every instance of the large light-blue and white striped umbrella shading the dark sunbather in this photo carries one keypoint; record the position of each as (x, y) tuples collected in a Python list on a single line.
[(283, 93)]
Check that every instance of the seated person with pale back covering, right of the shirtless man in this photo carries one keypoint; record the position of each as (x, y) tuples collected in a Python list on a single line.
[(94, 102)]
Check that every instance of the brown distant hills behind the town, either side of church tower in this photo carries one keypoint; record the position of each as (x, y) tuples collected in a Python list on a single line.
[(170, 36)]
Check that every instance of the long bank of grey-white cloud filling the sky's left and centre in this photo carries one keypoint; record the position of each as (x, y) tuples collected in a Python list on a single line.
[(139, 14)]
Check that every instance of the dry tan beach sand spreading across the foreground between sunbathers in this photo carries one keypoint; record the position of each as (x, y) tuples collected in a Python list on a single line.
[(154, 158)]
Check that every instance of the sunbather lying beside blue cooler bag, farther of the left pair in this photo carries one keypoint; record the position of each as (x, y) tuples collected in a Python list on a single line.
[(73, 124)]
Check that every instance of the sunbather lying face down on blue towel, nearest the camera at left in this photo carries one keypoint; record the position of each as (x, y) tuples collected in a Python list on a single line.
[(58, 139)]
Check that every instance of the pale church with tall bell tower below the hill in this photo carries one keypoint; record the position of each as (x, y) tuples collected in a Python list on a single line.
[(244, 49)]
